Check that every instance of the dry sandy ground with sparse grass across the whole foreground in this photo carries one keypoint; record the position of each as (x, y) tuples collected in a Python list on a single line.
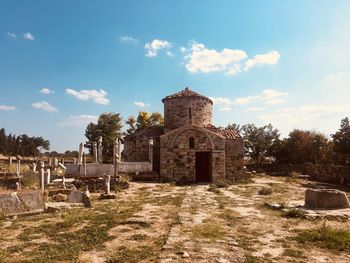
[(152, 222)]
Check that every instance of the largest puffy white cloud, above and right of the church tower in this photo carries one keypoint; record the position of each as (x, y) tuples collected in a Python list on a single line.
[(201, 59)]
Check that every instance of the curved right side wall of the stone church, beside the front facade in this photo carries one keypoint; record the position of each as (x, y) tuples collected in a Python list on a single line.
[(234, 153)]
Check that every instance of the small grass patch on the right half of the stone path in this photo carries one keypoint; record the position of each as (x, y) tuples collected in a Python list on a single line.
[(209, 230)]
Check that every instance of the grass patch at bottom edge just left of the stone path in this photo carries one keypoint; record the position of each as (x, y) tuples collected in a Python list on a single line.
[(135, 255)]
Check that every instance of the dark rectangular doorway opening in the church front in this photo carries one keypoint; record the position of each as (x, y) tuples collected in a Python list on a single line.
[(203, 167)]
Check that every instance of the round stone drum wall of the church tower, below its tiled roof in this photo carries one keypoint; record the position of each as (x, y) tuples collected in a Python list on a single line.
[(176, 112)]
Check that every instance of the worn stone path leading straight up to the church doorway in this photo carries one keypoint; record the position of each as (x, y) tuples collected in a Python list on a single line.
[(196, 238)]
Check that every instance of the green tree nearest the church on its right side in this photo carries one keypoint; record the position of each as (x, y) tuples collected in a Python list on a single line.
[(259, 141)]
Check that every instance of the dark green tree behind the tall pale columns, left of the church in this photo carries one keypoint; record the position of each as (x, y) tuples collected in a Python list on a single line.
[(109, 127)]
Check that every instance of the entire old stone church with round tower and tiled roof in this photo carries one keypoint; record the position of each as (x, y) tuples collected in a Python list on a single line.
[(188, 148)]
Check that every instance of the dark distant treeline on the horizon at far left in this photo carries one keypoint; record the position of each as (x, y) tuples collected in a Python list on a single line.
[(23, 145)]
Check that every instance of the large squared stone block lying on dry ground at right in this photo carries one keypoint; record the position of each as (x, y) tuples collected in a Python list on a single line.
[(326, 199)]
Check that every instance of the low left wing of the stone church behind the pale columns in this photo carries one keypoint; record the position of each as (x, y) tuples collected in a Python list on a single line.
[(136, 146)]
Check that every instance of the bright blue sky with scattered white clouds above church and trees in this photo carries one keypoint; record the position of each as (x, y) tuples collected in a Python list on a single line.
[(62, 63)]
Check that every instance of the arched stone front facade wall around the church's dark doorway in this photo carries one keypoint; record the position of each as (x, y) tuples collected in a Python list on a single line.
[(178, 161)]
